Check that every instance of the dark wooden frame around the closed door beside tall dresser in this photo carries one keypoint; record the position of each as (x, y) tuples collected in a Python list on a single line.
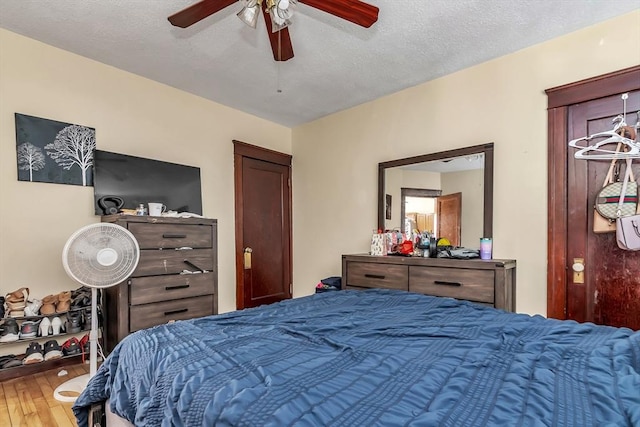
[(242, 150)]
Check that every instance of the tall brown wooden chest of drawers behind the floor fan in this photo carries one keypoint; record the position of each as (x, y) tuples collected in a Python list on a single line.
[(160, 289)]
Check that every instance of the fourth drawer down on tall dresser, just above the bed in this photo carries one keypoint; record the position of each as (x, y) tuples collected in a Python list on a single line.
[(148, 315)]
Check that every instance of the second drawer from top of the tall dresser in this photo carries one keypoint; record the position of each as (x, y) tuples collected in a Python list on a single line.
[(171, 261)]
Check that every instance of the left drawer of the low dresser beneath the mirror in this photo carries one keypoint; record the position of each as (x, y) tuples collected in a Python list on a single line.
[(372, 275)]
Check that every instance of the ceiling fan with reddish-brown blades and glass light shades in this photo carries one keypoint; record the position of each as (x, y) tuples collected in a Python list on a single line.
[(277, 15)]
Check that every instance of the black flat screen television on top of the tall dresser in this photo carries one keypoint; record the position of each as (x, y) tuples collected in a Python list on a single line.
[(137, 180)]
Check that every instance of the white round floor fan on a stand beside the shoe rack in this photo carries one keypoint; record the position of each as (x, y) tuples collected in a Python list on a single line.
[(97, 256)]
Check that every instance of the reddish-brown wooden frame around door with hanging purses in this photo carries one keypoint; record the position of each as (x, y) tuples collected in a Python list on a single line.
[(559, 99)]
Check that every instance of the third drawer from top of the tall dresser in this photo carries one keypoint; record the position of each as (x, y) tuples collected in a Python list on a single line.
[(145, 290)]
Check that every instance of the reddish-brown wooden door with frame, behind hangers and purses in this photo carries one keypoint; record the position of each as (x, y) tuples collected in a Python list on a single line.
[(610, 293)]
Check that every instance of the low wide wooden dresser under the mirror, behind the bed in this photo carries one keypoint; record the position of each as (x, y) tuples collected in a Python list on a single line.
[(488, 282)]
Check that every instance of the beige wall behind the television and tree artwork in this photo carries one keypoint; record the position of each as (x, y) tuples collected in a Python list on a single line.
[(131, 115)]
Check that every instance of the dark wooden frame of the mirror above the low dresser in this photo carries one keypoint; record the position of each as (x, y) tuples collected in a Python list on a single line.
[(486, 149)]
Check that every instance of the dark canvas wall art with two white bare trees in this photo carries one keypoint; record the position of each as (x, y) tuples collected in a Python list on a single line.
[(51, 151)]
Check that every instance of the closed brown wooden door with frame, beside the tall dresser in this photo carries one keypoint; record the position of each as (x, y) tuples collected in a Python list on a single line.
[(263, 225)]
